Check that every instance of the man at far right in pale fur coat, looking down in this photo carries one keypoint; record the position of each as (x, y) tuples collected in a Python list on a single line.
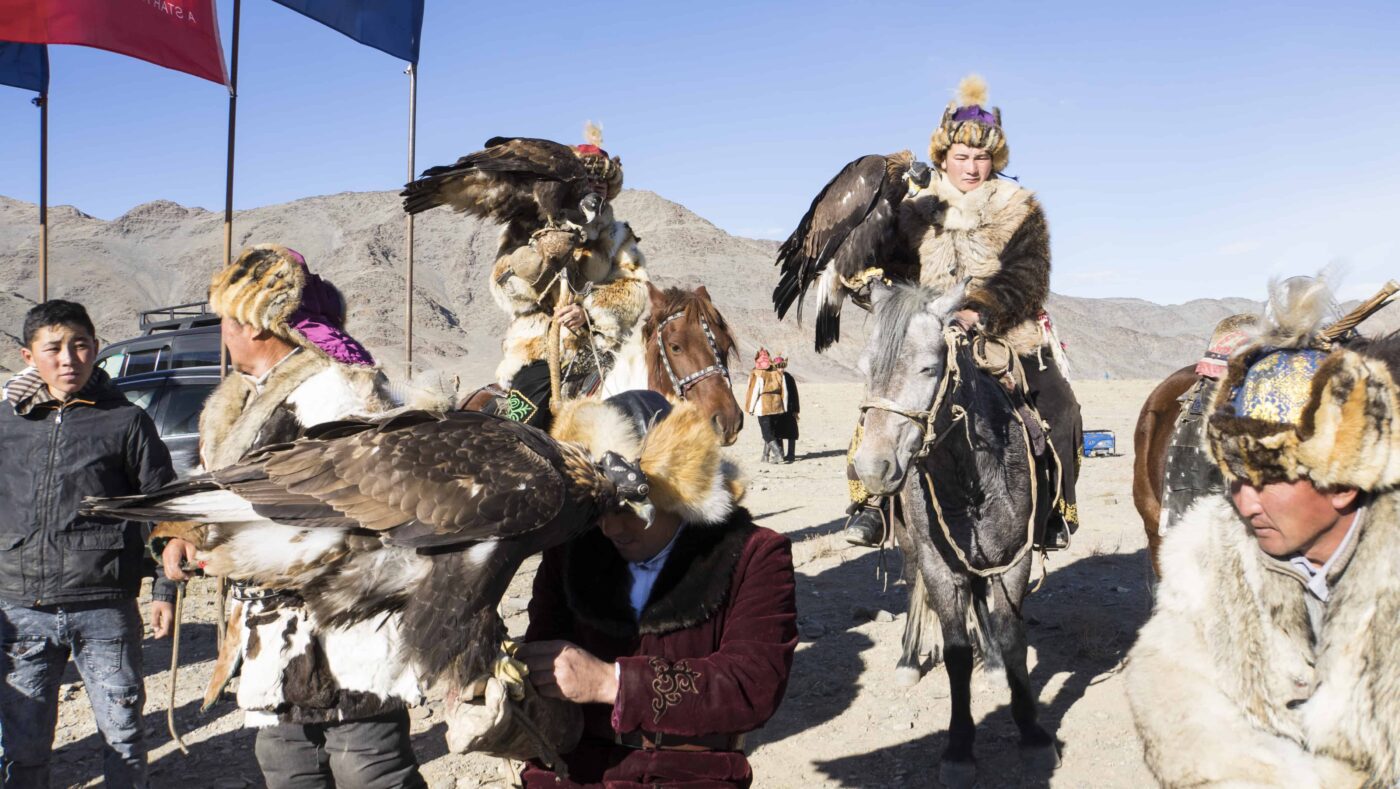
[(1270, 658)]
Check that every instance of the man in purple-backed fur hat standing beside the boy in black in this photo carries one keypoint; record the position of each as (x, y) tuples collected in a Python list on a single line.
[(330, 704)]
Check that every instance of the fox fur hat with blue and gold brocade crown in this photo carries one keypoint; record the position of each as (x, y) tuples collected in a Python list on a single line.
[(1287, 409)]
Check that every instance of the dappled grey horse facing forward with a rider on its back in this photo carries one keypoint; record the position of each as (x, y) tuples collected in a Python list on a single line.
[(953, 444)]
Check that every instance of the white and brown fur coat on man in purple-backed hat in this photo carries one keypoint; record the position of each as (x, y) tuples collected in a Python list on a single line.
[(293, 672)]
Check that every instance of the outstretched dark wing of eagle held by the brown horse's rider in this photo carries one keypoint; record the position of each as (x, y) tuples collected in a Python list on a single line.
[(513, 180)]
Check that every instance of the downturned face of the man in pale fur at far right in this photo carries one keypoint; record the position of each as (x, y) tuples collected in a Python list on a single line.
[(1293, 518)]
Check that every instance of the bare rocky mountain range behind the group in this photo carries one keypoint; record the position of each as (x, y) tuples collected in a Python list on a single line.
[(162, 254)]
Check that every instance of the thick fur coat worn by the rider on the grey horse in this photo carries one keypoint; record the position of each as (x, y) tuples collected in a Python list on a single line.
[(995, 237)]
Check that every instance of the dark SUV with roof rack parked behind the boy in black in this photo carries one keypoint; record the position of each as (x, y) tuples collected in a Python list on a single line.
[(170, 370)]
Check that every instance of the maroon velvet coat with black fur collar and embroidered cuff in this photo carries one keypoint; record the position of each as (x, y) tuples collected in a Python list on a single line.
[(710, 655)]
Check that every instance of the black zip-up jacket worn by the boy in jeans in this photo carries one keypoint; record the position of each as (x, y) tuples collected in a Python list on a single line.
[(96, 444)]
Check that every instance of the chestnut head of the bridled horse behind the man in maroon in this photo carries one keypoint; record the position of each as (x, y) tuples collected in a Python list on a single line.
[(688, 346)]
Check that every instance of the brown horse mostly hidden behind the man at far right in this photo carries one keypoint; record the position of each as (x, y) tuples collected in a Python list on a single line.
[(1151, 439)]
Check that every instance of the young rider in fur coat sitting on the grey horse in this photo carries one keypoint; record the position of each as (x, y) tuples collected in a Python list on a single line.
[(975, 227)]
